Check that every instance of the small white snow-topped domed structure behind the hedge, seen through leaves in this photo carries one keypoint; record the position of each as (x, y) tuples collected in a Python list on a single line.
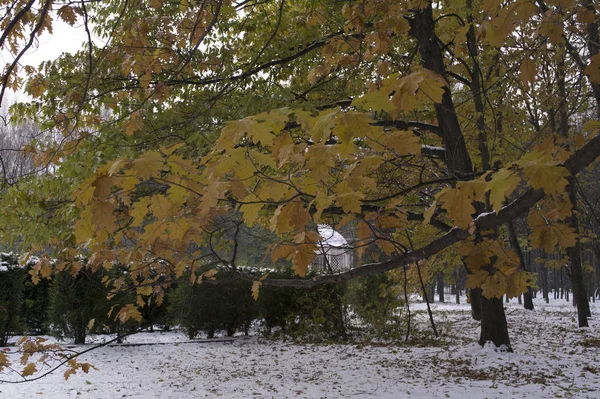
[(334, 254)]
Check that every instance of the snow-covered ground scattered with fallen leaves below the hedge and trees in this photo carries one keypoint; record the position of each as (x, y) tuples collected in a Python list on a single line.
[(552, 359)]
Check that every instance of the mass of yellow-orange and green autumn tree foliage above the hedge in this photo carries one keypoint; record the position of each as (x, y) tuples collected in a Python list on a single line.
[(421, 124)]
